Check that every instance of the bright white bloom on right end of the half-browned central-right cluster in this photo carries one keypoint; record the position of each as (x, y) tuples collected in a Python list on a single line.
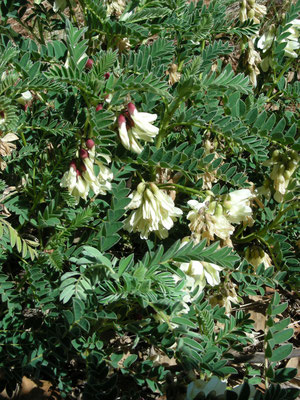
[(237, 205)]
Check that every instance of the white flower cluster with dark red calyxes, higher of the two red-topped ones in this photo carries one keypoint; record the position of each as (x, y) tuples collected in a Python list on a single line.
[(135, 126)]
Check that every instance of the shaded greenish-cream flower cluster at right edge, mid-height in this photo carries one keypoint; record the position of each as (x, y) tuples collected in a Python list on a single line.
[(284, 166)]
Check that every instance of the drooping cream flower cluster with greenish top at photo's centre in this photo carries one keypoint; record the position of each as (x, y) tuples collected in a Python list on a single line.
[(153, 211)]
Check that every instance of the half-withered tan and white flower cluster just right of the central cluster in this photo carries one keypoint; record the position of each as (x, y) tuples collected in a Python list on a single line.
[(210, 219)]
